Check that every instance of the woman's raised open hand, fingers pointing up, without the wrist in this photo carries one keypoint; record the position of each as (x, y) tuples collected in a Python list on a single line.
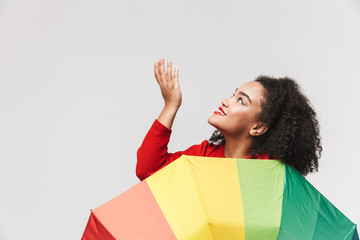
[(169, 83)]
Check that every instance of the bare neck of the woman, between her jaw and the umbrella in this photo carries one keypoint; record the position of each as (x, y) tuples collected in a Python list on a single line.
[(237, 148)]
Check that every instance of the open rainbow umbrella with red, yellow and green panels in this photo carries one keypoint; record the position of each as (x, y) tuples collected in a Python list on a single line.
[(220, 198)]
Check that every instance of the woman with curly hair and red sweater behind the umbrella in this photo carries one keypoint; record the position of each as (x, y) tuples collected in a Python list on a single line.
[(264, 119)]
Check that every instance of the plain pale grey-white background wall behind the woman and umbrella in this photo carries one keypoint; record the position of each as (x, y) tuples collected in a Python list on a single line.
[(78, 94)]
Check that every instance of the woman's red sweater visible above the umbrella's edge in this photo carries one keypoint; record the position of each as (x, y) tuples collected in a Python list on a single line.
[(153, 155)]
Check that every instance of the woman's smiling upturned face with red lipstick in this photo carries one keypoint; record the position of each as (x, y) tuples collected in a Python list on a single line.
[(238, 114)]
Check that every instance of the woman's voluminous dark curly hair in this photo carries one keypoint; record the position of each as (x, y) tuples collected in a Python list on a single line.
[(293, 134)]
